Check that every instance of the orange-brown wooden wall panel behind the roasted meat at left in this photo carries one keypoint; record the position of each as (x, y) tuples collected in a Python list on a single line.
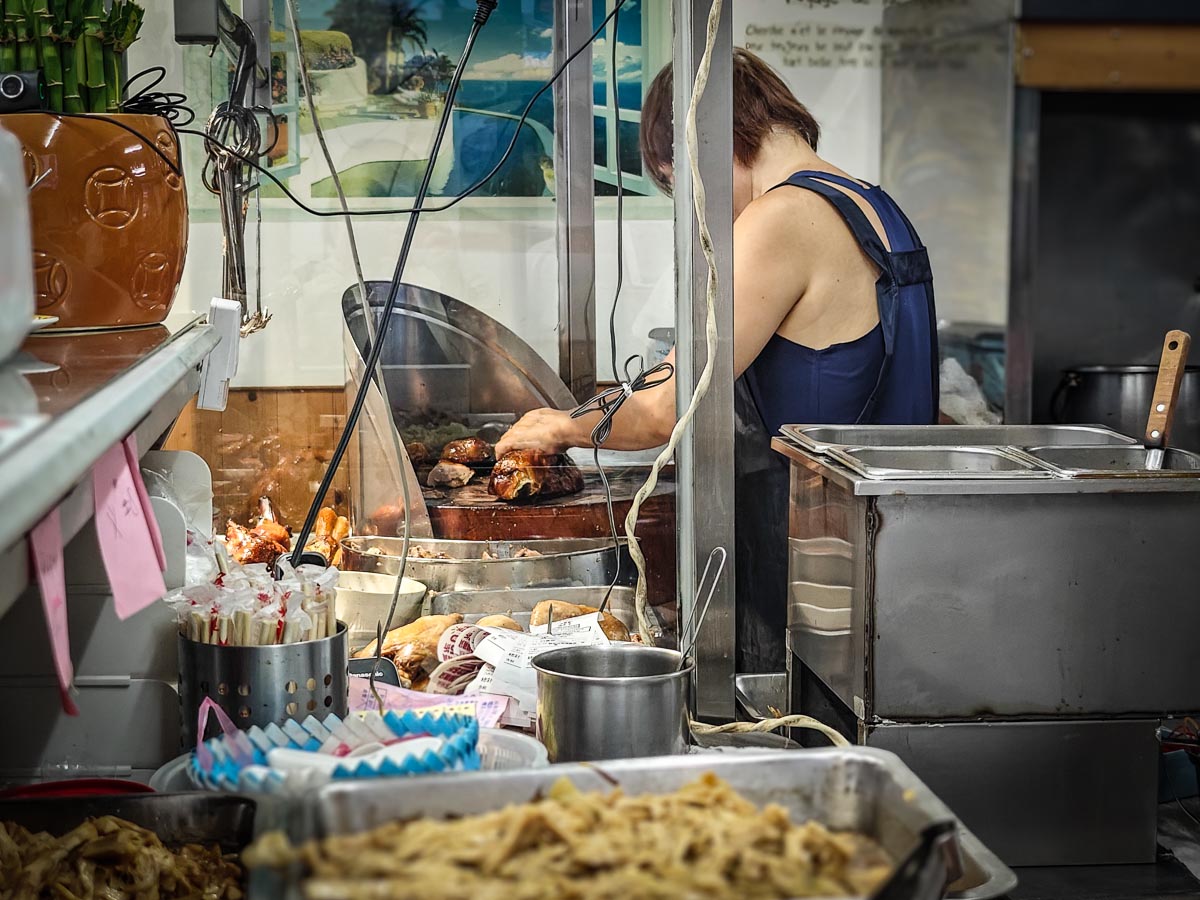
[(267, 442)]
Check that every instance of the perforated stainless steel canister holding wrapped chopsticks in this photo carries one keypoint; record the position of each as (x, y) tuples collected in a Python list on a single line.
[(260, 686)]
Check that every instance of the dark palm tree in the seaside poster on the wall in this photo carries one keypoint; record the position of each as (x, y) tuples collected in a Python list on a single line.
[(380, 29)]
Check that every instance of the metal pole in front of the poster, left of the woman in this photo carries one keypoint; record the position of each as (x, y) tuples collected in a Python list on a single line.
[(575, 200)]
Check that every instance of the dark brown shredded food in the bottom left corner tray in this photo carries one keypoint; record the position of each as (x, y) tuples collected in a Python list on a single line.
[(110, 859)]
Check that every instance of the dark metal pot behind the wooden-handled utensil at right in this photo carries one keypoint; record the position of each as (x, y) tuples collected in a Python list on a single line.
[(1120, 398)]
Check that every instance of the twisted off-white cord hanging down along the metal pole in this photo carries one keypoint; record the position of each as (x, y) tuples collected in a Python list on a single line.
[(706, 376)]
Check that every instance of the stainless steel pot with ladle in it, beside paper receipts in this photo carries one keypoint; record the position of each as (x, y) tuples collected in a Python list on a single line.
[(611, 703)]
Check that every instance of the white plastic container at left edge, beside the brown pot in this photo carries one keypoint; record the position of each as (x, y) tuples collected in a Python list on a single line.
[(17, 305)]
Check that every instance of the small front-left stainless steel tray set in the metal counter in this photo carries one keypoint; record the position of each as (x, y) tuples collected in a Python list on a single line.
[(886, 464)]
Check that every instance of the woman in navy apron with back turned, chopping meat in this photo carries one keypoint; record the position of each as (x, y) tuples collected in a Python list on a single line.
[(833, 310)]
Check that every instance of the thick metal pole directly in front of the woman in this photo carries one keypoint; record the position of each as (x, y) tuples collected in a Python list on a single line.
[(705, 501)]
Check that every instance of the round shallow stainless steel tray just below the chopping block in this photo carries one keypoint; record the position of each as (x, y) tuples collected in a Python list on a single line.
[(563, 562)]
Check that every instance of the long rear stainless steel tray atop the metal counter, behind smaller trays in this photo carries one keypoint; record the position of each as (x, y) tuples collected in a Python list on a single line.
[(824, 439)]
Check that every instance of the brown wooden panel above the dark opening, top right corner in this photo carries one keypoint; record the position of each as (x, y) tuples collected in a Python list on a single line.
[(1115, 57)]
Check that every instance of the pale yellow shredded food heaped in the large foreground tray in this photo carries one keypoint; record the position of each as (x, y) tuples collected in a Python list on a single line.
[(704, 841)]
